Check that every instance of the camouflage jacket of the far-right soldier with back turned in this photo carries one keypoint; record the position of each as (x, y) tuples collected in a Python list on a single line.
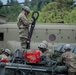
[(70, 59)]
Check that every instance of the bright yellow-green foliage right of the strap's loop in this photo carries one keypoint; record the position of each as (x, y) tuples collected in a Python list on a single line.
[(59, 11)]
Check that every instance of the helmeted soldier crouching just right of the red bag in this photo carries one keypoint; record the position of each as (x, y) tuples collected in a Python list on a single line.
[(45, 59)]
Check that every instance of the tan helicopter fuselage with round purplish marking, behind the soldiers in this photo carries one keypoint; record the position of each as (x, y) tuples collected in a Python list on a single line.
[(53, 33)]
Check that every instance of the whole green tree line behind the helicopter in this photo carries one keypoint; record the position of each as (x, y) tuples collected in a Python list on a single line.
[(51, 11)]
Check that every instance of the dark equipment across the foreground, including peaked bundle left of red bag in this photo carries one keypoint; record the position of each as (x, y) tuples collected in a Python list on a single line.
[(18, 66)]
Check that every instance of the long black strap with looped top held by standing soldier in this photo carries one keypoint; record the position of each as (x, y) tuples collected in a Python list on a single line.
[(32, 28)]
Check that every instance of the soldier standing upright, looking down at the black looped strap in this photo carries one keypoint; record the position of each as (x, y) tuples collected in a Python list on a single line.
[(23, 24)]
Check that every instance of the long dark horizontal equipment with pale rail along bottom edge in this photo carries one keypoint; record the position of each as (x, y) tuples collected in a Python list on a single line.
[(23, 69)]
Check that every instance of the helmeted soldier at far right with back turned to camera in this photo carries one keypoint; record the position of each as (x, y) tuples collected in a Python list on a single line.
[(69, 59)]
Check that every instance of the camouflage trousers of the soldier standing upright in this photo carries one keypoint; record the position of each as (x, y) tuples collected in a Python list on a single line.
[(23, 34)]
